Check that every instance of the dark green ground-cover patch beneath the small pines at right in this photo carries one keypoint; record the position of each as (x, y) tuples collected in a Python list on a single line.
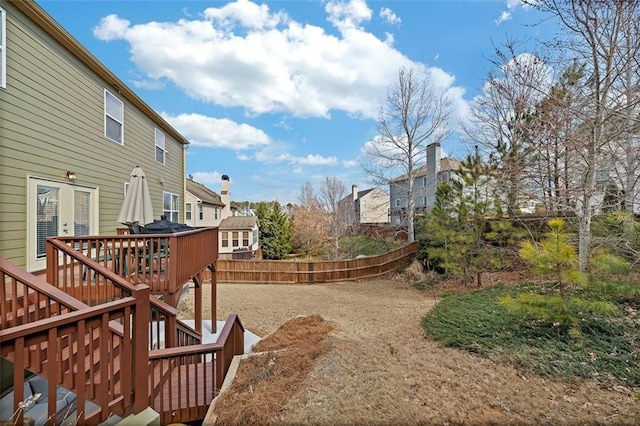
[(609, 350)]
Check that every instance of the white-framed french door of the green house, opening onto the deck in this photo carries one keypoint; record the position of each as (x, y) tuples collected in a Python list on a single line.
[(57, 209)]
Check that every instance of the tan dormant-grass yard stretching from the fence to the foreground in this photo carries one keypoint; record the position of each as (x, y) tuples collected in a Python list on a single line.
[(381, 369)]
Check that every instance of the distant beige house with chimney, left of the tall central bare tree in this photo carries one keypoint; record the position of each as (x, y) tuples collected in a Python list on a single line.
[(370, 206)]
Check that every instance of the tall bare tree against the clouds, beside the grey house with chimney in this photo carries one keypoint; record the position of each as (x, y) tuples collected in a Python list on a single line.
[(414, 116)]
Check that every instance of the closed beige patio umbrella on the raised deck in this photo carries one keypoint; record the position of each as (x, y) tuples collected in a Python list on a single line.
[(137, 208)]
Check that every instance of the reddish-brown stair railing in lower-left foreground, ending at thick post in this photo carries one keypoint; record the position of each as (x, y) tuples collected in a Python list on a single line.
[(89, 350)]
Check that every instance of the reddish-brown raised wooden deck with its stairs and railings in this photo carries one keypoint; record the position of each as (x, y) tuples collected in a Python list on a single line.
[(87, 297)]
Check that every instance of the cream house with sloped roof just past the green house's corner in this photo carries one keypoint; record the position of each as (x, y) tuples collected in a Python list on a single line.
[(203, 207)]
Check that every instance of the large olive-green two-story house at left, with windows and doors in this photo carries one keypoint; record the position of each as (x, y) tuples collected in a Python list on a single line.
[(70, 134)]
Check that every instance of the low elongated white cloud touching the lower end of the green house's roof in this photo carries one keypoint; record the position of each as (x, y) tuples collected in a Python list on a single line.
[(212, 132)]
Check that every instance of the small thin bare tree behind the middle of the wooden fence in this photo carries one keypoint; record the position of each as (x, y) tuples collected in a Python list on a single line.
[(332, 190)]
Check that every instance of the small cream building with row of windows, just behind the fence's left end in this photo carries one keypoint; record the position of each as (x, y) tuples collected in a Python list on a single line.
[(238, 234)]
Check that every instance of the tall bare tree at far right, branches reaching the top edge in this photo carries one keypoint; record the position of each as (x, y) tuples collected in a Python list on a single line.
[(596, 37)]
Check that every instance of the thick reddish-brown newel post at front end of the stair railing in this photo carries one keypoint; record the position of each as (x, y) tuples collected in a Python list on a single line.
[(140, 346)]
